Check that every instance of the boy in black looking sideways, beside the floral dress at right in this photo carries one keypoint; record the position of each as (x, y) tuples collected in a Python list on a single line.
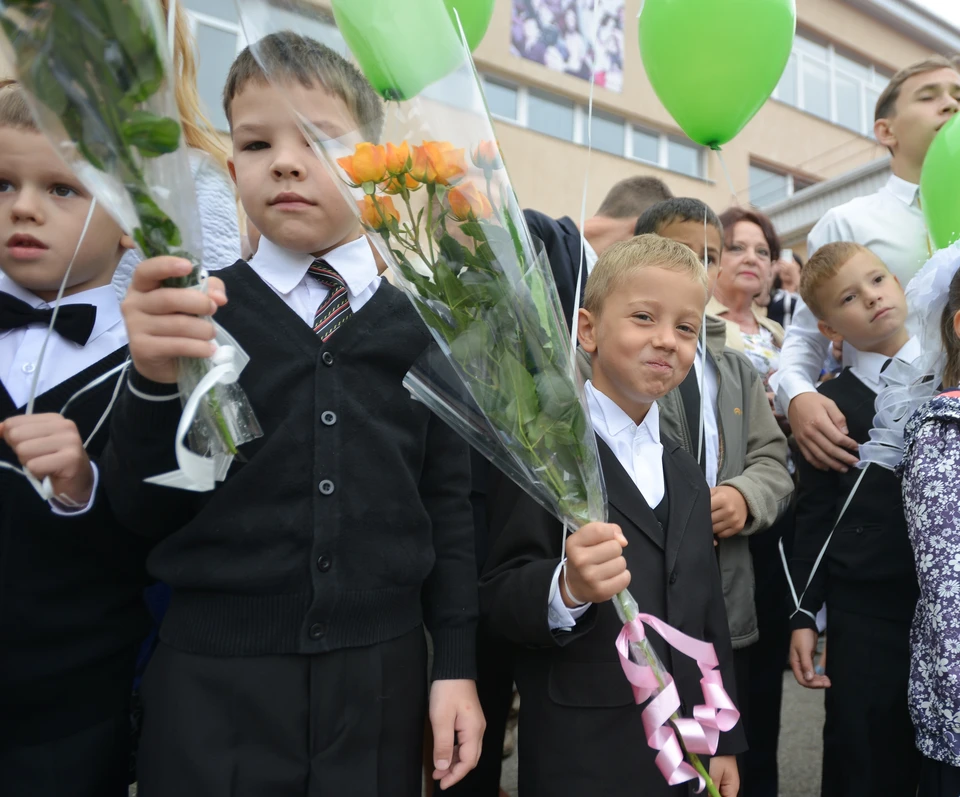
[(867, 576)]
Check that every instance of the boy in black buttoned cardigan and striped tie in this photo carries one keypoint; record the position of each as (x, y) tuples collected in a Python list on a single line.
[(292, 658)]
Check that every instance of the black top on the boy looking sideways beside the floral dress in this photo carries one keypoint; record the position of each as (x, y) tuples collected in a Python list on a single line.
[(868, 567)]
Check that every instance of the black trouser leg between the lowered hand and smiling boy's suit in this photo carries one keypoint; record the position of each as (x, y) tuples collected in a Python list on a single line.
[(495, 665)]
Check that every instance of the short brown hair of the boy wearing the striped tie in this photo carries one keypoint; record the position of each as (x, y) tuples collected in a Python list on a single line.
[(312, 64)]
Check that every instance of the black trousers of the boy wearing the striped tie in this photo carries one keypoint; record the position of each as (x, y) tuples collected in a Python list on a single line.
[(349, 722)]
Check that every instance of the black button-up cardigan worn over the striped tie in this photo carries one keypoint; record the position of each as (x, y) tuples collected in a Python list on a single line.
[(349, 513)]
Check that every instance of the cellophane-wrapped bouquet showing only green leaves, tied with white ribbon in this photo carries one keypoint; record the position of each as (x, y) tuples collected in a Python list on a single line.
[(97, 75)]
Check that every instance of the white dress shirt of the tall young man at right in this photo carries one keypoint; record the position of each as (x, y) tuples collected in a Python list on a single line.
[(889, 223)]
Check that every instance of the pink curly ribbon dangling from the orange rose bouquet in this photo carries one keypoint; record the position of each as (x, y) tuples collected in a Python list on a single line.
[(702, 733)]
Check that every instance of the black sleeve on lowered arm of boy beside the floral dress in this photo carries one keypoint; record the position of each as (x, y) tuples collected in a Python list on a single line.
[(816, 513)]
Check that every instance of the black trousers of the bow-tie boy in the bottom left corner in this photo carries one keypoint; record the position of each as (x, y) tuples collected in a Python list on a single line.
[(91, 762)]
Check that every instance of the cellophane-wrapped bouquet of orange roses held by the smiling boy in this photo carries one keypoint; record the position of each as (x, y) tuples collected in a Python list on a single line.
[(431, 189)]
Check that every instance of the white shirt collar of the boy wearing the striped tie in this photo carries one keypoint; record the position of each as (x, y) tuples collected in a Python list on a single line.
[(286, 273)]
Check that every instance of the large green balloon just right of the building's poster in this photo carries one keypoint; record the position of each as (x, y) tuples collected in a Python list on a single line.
[(713, 64)]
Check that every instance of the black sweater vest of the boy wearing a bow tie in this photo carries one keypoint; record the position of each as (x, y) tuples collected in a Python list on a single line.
[(71, 608)]
